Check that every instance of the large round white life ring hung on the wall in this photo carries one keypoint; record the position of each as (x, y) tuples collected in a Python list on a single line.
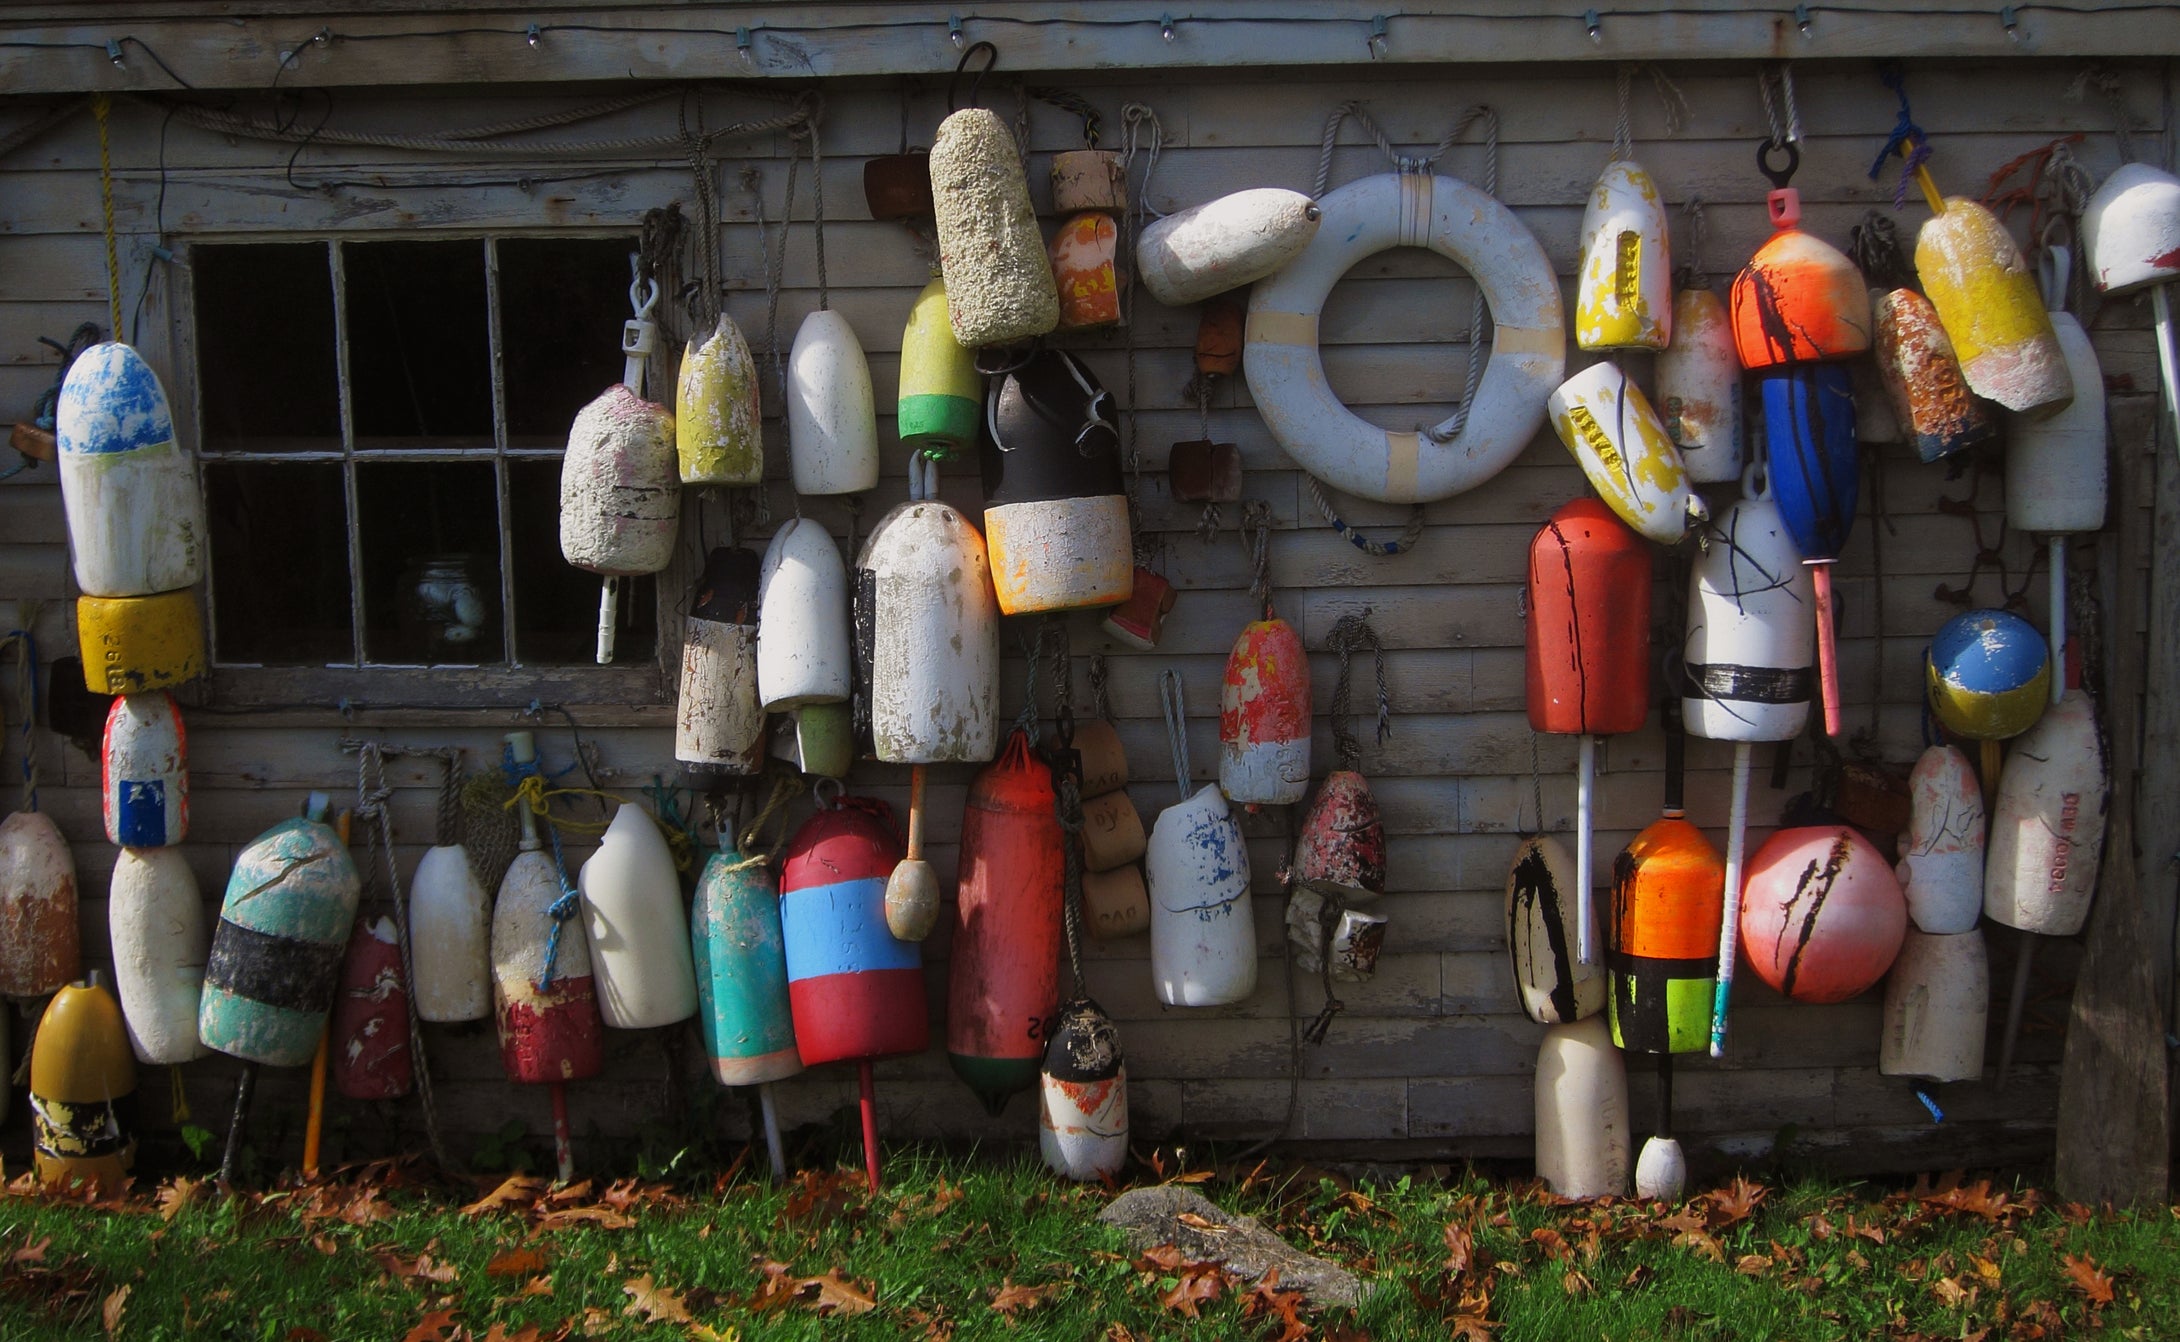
[(1529, 350)]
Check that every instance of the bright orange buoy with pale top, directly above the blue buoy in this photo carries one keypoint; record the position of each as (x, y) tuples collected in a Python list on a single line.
[(1800, 300)]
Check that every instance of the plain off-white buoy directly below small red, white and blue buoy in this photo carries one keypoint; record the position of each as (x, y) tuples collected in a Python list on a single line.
[(158, 923)]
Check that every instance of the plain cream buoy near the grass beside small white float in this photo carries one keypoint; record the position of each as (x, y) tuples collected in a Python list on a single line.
[(1582, 1112)]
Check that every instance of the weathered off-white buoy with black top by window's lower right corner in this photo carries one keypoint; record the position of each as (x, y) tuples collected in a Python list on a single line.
[(718, 720)]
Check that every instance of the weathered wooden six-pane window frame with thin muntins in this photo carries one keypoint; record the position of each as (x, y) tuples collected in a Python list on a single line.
[(631, 683)]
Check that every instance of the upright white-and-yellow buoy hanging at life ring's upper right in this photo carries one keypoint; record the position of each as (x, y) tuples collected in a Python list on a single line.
[(1623, 286)]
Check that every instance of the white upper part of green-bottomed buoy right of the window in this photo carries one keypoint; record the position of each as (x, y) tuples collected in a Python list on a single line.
[(803, 657)]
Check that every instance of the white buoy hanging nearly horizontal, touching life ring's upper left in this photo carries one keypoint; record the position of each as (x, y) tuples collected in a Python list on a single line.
[(1224, 245)]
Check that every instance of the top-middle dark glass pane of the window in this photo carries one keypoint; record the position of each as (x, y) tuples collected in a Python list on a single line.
[(420, 356)]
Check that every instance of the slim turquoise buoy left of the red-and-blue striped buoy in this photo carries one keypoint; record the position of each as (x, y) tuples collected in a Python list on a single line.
[(742, 971)]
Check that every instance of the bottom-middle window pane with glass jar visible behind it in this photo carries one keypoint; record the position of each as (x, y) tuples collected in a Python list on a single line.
[(431, 563)]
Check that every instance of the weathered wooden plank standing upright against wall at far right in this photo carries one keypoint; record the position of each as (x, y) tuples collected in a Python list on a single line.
[(2116, 1088)]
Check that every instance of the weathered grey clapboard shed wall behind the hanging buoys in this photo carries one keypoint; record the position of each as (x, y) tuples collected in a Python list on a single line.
[(1433, 1058)]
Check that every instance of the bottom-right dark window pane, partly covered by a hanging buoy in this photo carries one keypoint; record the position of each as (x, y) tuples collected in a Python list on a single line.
[(555, 602)]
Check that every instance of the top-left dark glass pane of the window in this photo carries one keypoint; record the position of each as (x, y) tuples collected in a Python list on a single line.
[(265, 347)]
